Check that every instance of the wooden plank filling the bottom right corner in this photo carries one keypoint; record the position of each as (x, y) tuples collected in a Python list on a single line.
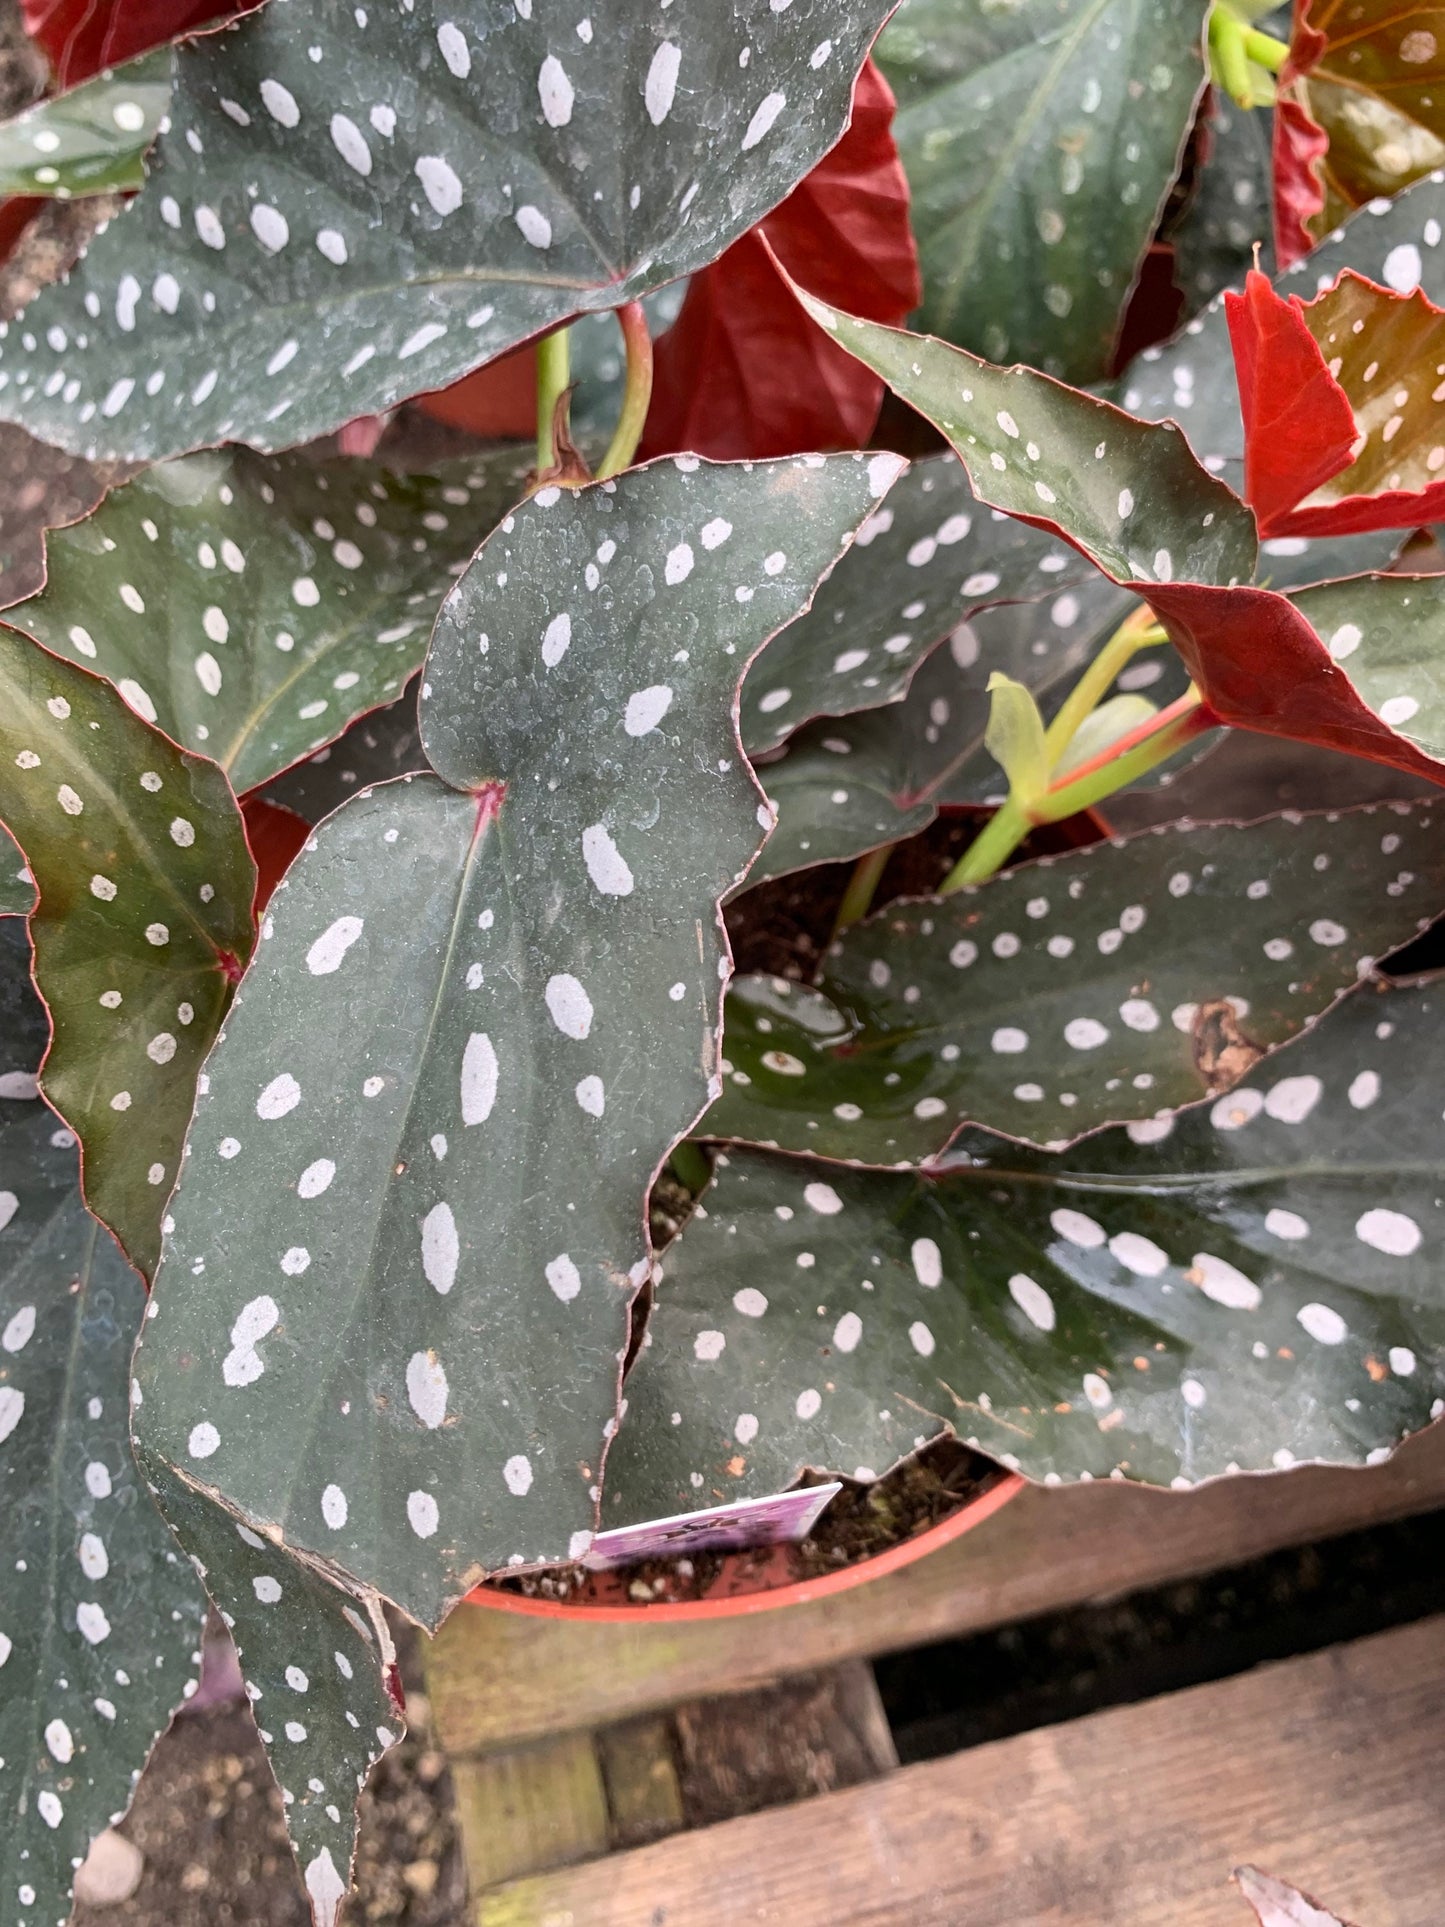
[(1325, 1770)]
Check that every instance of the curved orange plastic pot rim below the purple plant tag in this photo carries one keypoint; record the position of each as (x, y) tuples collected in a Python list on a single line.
[(752, 1585)]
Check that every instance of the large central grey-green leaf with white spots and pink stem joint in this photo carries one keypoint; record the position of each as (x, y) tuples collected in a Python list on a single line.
[(481, 1015)]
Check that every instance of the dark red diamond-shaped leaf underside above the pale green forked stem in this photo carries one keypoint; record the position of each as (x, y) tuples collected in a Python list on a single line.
[(1261, 668)]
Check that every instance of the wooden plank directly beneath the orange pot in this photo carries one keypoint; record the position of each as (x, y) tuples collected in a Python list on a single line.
[(1047, 1550)]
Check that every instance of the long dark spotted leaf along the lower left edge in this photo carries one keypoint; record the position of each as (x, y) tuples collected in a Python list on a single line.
[(99, 1612)]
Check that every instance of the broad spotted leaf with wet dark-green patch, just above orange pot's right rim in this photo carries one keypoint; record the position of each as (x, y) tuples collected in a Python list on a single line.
[(1240, 1288)]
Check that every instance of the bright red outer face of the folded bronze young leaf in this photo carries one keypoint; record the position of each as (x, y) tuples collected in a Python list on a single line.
[(1300, 427)]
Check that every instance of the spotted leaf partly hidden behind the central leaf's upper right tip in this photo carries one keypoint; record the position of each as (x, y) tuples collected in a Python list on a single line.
[(930, 560)]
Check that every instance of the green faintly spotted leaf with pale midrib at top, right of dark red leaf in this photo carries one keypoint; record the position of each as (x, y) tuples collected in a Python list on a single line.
[(1041, 142)]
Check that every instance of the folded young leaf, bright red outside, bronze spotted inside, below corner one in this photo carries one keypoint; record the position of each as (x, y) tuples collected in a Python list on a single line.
[(1342, 423)]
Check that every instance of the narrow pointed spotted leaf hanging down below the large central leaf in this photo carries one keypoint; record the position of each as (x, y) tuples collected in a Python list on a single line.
[(317, 1668)]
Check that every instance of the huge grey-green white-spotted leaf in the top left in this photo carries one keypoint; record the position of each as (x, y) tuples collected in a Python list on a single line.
[(355, 205)]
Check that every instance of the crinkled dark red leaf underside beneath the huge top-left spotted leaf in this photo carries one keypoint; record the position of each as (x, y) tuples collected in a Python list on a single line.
[(743, 371)]
